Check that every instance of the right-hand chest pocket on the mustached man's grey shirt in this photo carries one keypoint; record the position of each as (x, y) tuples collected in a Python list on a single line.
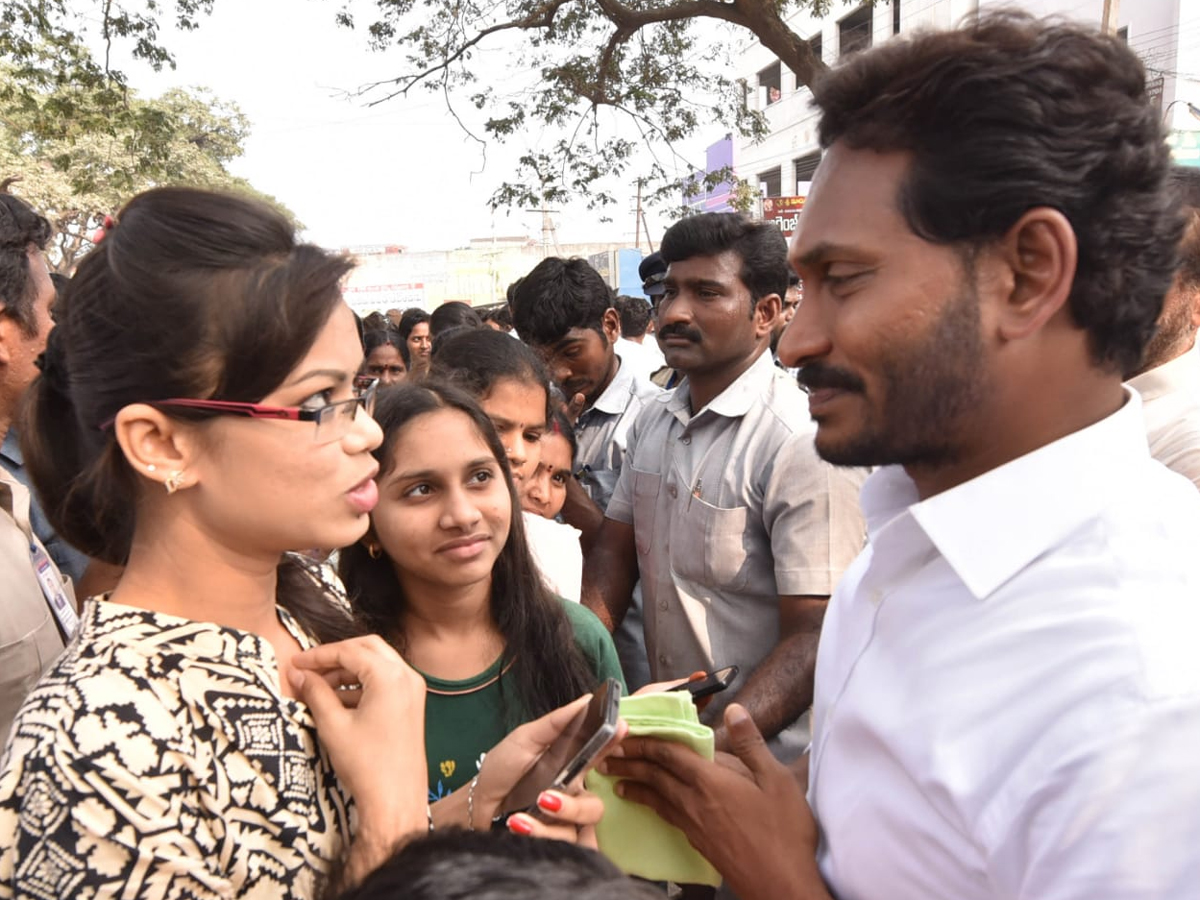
[(712, 548)]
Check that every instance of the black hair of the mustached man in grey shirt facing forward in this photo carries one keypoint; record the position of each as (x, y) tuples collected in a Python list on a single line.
[(760, 247)]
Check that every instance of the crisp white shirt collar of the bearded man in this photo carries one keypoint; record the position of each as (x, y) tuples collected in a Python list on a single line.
[(994, 526)]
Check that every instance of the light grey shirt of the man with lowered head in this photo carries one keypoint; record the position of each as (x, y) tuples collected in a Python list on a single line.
[(603, 429)]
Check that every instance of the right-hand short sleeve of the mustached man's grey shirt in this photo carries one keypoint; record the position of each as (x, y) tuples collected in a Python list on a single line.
[(813, 515)]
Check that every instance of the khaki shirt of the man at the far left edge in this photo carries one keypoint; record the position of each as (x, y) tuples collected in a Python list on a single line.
[(29, 634)]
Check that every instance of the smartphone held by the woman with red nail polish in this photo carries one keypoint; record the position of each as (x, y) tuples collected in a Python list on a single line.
[(571, 754)]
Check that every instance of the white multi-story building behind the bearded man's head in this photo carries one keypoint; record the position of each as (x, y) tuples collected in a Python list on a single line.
[(1165, 33)]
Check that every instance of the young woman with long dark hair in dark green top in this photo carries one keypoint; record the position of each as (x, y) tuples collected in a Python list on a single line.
[(446, 575)]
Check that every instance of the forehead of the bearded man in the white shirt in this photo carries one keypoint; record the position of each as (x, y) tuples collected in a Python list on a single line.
[(853, 205)]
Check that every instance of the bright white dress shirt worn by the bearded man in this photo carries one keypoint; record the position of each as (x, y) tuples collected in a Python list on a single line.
[(1009, 685)]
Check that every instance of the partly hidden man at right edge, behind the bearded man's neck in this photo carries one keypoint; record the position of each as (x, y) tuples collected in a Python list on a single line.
[(1169, 376)]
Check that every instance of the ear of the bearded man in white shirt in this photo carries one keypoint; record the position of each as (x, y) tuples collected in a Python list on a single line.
[(1041, 253)]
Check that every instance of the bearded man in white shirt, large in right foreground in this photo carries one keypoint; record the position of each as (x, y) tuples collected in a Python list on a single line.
[(1007, 695)]
